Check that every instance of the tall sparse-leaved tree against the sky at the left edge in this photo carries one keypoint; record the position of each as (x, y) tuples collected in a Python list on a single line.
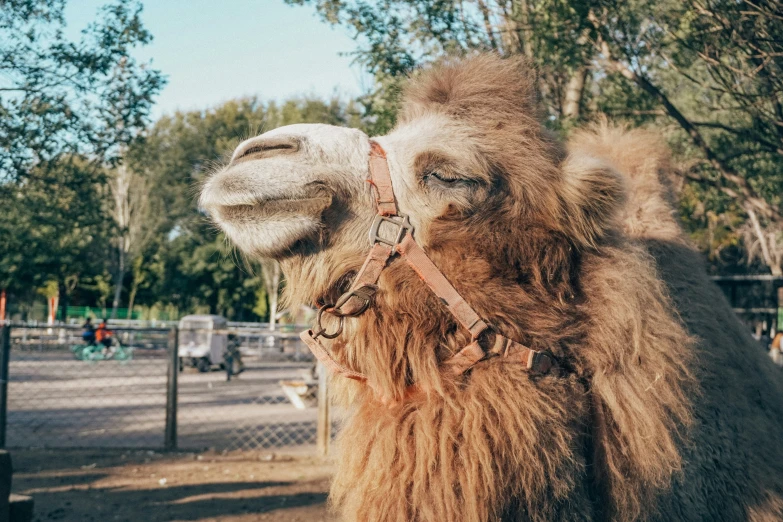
[(66, 108)]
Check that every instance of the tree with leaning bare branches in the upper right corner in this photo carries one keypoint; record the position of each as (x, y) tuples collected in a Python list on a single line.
[(716, 70)]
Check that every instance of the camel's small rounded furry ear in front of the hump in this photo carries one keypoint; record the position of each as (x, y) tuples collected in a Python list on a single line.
[(591, 197)]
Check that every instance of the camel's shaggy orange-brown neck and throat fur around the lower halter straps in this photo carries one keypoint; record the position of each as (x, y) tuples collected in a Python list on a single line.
[(492, 444)]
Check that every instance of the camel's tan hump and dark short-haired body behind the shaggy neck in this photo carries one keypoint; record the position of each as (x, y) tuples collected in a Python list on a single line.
[(732, 459)]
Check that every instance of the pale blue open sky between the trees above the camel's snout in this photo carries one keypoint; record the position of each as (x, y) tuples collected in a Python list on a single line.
[(216, 50)]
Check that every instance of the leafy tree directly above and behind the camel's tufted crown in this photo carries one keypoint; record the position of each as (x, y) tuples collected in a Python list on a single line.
[(398, 35)]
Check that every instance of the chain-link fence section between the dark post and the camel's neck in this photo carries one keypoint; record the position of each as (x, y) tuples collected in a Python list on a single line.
[(270, 404)]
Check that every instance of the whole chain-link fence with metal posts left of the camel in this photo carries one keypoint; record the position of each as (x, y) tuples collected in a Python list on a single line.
[(201, 387)]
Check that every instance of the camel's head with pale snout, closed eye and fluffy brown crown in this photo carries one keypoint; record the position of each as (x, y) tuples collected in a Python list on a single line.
[(469, 161)]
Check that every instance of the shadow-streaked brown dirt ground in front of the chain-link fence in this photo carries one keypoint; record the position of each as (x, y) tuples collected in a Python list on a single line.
[(148, 486)]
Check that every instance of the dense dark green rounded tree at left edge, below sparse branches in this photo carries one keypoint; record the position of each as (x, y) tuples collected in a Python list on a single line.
[(53, 228)]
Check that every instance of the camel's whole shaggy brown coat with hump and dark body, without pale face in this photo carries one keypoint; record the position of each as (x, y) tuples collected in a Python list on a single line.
[(666, 410)]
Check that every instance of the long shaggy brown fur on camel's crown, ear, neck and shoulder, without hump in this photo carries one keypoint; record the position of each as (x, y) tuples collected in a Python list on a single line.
[(556, 278)]
